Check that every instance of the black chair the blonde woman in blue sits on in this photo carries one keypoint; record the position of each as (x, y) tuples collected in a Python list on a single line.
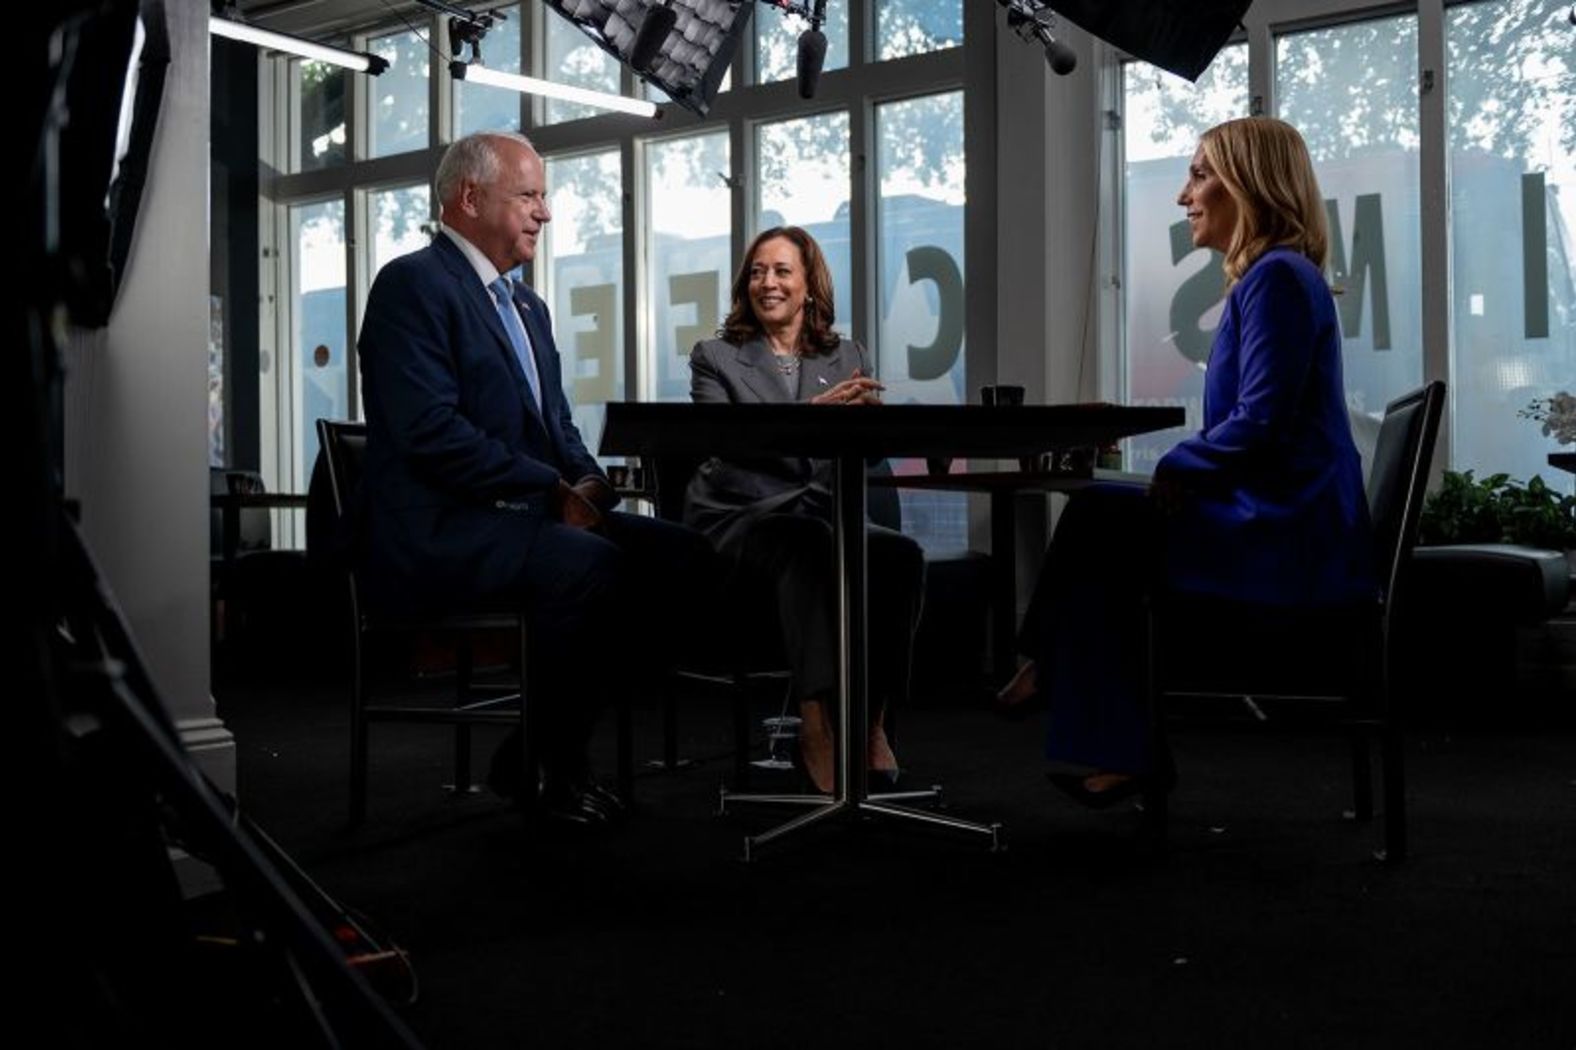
[(1317, 668)]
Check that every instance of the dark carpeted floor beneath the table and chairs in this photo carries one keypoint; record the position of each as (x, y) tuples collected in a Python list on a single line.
[(1268, 926)]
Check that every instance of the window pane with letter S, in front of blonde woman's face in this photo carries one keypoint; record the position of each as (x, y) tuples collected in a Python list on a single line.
[(1173, 292)]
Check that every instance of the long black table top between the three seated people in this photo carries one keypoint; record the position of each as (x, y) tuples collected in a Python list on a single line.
[(877, 431)]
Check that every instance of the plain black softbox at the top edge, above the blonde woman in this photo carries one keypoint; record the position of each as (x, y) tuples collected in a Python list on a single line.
[(1178, 35)]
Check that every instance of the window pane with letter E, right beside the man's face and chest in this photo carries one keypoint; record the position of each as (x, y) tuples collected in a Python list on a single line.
[(584, 269)]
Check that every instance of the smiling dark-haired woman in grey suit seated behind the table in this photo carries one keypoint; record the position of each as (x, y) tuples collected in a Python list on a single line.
[(771, 519)]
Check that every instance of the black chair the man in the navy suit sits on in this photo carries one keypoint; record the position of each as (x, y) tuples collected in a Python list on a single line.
[(344, 447)]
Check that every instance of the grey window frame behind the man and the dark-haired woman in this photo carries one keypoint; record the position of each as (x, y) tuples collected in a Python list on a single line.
[(738, 111)]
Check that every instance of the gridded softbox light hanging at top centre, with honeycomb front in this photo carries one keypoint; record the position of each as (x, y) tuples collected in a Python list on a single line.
[(689, 61)]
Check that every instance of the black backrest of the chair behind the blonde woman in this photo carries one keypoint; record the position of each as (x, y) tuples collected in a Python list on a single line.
[(1400, 475)]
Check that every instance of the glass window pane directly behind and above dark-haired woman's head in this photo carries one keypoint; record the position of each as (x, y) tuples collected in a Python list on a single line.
[(803, 181)]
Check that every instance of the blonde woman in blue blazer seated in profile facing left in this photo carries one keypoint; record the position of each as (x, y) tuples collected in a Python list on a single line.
[(1265, 505)]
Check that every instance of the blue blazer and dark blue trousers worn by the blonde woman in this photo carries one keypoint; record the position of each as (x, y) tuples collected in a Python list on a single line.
[(1274, 515)]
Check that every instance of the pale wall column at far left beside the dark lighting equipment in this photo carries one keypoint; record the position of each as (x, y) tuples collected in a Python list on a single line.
[(136, 425)]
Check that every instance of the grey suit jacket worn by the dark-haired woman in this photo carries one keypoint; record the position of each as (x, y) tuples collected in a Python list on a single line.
[(726, 496)]
